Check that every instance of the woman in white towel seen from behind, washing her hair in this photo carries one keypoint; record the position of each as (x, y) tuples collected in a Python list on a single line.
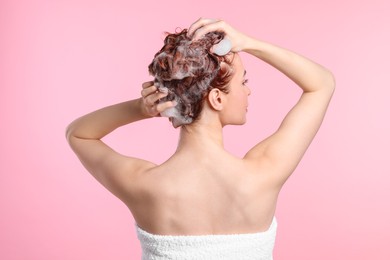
[(204, 203)]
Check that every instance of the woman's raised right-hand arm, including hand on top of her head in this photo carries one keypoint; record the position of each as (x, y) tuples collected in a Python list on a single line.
[(280, 153)]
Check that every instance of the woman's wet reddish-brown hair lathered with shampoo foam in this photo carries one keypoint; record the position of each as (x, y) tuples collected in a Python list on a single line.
[(188, 70)]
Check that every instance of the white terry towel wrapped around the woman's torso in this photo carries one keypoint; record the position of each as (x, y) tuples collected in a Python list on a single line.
[(253, 246)]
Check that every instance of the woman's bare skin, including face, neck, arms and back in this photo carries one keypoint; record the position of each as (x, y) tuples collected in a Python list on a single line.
[(202, 189)]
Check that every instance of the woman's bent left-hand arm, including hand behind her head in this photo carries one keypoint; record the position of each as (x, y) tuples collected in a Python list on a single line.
[(111, 169)]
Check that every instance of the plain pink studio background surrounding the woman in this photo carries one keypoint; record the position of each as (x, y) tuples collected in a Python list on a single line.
[(62, 59)]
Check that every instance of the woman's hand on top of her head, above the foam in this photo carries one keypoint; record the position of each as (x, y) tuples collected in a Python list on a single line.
[(203, 26)]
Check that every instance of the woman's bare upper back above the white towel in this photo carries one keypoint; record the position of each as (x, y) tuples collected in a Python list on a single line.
[(204, 193)]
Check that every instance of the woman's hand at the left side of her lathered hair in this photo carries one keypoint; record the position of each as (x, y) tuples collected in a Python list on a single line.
[(150, 100)]
